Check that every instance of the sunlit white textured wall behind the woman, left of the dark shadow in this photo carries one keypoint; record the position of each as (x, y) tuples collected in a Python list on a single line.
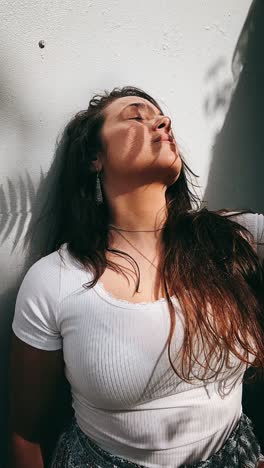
[(179, 51)]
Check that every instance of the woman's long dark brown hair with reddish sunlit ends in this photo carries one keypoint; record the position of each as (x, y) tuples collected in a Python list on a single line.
[(209, 263)]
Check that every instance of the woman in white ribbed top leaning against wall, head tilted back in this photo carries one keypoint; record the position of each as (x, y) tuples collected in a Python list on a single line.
[(154, 308)]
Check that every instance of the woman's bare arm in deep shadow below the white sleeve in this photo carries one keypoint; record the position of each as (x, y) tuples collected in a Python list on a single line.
[(36, 378)]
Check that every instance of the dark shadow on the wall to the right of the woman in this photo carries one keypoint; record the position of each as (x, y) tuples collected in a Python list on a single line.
[(237, 166)]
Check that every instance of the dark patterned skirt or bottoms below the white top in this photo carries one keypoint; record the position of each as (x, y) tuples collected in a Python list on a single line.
[(75, 449)]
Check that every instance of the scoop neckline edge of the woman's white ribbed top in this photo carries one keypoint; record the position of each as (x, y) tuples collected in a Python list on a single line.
[(123, 303)]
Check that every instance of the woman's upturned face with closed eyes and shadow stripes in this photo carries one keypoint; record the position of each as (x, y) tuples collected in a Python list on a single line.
[(131, 156)]
